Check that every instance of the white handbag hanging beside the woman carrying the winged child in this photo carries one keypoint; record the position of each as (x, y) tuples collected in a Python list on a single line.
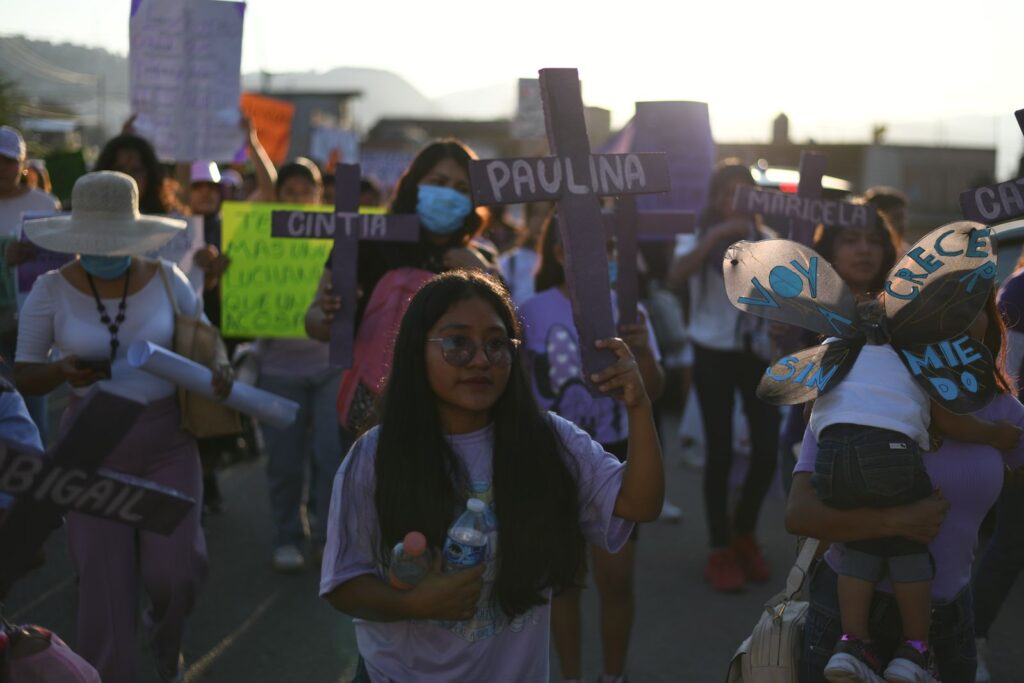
[(772, 654)]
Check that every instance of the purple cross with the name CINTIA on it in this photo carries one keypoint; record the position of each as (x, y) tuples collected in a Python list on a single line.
[(349, 228)]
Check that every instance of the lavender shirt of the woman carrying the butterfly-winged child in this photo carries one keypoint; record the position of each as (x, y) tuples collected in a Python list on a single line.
[(971, 478)]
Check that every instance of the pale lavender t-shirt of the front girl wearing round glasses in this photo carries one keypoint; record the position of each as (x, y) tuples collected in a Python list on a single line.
[(490, 647)]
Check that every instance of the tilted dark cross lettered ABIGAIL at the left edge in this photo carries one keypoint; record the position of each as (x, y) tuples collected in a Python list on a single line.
[(70, 480)]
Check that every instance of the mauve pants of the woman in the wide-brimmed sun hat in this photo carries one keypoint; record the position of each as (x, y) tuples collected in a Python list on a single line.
[(112, 559)]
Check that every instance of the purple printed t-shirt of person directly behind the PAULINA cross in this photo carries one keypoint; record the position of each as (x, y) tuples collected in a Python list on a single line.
[(553, 357)]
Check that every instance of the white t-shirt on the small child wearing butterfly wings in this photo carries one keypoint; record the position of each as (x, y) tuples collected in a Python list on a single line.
[(878, 393)]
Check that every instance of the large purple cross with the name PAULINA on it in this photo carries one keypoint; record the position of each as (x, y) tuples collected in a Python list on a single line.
[(575, 179)]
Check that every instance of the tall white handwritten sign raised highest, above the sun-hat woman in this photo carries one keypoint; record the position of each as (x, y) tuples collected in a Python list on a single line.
[(185, 63)]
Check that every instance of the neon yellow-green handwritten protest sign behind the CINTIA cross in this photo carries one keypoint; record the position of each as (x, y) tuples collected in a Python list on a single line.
[(272, 282)]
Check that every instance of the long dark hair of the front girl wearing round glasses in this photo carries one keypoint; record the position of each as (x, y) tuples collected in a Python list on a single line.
[(421, 484)]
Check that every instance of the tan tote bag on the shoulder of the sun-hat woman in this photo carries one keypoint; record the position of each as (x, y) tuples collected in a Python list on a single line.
[(201, 343)]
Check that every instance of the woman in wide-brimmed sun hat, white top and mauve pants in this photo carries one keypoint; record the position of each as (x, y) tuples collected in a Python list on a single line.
[(91, 312)]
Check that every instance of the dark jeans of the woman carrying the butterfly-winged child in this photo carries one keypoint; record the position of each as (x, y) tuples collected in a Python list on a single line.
[(951, 636)]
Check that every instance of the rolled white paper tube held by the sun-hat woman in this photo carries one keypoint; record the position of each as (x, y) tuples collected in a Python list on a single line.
[(266, 407)]
